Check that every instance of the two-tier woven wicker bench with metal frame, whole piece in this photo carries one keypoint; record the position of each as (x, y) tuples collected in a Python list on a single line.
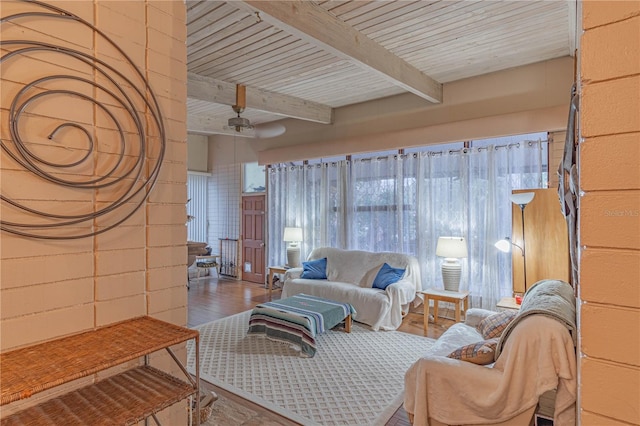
[(125, 398)]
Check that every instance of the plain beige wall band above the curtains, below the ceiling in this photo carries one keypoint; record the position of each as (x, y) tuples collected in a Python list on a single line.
[(521, 100)]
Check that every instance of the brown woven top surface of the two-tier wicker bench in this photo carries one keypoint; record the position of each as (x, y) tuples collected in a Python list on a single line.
[(32, 369)]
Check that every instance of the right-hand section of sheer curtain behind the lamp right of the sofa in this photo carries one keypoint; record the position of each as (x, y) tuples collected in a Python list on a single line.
[(466, 193)]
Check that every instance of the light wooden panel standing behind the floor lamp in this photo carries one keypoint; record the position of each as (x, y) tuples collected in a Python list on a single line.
[(546, 240)]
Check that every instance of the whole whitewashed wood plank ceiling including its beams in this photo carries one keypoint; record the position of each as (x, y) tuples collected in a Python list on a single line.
[(301, 59)]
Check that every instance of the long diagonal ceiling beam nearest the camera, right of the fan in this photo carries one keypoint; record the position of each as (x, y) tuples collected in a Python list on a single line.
[(315, 25)]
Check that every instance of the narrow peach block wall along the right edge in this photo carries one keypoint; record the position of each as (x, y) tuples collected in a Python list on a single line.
[(609, 234)]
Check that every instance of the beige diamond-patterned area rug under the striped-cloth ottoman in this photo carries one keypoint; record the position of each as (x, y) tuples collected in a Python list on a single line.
[(355, 378)]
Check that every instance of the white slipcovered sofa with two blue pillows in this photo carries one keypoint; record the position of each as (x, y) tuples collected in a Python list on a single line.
[(350, 275)]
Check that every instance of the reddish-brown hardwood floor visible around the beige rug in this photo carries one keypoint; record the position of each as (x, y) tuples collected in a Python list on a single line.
[(211, 298)]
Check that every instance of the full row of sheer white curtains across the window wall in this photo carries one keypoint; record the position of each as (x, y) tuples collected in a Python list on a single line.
[(403, 203)]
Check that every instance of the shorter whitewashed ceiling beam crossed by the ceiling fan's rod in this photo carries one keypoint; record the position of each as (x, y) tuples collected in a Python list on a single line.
[(221, 92)]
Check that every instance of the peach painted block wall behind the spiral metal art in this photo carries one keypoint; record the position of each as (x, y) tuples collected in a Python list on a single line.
[(53, 288)]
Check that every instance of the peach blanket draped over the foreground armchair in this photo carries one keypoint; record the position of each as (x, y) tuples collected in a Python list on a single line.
[(538, 357)]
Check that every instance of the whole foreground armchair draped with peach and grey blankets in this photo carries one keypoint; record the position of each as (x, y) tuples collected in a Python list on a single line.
[(534, 354)]
